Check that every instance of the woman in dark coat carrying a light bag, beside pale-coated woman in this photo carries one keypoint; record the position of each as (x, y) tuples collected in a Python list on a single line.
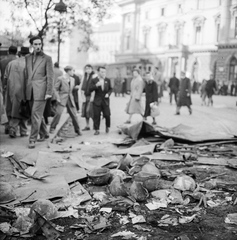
[(151, 95)]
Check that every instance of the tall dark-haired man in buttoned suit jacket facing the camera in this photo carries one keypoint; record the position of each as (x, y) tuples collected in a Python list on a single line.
[(39, 88)]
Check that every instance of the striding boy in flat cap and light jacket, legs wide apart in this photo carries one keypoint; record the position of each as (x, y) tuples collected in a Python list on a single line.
[(64, 87)]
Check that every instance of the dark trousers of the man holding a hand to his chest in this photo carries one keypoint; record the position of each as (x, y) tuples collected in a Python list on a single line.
[(97, 115)]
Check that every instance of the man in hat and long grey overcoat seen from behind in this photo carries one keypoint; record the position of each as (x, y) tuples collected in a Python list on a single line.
[(15, 80)]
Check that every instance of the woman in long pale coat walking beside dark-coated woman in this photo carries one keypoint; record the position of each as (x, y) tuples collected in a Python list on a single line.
[(134, 106)]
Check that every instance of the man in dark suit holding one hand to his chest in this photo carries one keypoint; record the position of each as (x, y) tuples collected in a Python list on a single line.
[(102, 87)]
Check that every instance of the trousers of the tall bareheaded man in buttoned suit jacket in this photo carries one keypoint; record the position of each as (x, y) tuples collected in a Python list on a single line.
[(38, 125)]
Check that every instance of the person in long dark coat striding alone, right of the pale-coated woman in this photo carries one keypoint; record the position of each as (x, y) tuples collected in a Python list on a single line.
[(184, 95)]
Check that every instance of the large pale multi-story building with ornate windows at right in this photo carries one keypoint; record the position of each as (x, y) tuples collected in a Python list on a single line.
[(196, 36)]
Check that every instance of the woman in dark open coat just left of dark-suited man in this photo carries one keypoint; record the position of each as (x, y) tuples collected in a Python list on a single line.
[(87, 96)]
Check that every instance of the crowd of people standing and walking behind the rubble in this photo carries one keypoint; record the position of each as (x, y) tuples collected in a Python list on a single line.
[(32, 89)]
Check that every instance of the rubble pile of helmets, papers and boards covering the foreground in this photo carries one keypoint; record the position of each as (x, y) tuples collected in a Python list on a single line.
[(128, 191)]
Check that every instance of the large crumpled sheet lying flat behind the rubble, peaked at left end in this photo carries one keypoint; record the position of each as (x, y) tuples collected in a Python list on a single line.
[(181, 133)]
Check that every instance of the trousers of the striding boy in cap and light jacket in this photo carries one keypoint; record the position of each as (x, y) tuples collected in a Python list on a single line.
[(72, 112)]
